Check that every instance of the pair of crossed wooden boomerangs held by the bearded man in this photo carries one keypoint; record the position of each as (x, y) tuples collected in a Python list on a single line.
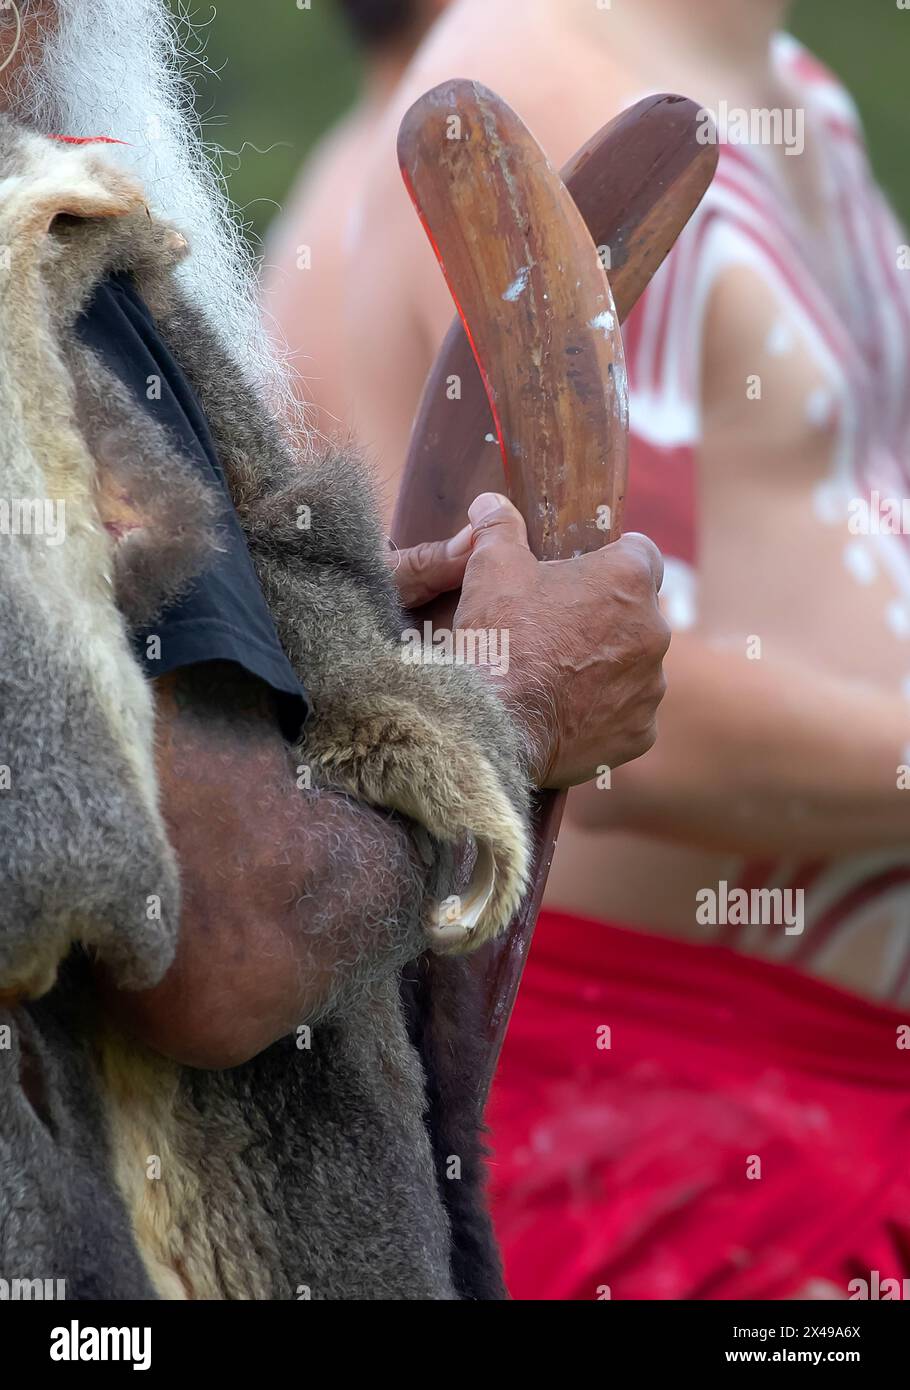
[(537, 348)]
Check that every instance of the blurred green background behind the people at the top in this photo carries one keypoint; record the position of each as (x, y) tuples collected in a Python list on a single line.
[(286, 73)]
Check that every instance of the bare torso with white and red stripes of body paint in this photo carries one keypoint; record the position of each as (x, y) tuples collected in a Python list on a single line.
[(797, 345)]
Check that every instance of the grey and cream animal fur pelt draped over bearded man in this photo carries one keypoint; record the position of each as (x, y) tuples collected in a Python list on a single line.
[(311, 1172)]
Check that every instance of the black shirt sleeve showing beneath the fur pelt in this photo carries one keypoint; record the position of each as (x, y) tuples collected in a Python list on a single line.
[(224, 618)]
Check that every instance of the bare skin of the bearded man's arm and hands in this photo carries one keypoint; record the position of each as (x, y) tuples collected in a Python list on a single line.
[(587, 644)]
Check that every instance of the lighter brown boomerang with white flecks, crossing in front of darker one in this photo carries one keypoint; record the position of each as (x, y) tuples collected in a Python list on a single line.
[(536, 305)]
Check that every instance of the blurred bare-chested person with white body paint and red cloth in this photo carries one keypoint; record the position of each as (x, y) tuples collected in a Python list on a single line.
[(697, 1102)]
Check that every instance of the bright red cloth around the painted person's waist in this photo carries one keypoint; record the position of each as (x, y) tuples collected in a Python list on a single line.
[(629, 1167)]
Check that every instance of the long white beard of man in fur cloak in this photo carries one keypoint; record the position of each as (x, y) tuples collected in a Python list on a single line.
[(120, 69)]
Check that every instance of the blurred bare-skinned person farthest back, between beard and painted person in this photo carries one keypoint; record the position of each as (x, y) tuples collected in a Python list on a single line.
[(309, 248)]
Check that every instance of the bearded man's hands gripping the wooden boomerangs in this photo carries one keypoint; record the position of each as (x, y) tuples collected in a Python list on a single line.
[(587, 639)]
